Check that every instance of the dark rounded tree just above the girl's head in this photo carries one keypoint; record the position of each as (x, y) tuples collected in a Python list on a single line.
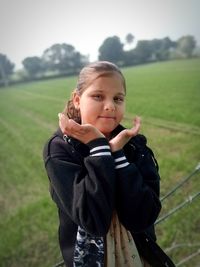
[(111, 50)]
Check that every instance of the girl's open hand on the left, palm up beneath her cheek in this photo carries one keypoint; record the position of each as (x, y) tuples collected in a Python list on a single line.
[(84, 133)]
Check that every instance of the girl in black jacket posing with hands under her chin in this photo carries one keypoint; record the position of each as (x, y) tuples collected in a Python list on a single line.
[(103, 178)]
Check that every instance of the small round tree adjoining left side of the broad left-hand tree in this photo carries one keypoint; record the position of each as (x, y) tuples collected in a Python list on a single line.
[(33, 65)]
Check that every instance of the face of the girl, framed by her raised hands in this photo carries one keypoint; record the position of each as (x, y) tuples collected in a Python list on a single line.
[(102, 104)]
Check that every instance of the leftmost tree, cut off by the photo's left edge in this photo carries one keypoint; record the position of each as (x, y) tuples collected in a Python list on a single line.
[(6, 69)]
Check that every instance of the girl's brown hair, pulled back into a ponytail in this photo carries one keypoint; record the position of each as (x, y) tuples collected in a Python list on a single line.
[(87, 75)]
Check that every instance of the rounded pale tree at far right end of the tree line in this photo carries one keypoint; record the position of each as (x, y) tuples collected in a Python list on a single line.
[(186, 45)]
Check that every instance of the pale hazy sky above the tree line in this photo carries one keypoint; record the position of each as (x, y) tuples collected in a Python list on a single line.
[(28, 27)]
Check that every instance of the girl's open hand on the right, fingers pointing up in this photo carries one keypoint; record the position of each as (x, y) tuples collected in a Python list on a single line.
[(120, 140)]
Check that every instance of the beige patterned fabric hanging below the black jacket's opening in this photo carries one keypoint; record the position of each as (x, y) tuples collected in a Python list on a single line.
[(121, 250)]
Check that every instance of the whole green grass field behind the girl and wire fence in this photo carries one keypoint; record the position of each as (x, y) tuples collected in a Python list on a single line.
[(166, 96)]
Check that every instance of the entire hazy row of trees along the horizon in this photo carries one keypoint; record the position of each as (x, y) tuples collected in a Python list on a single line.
[(63, 59)]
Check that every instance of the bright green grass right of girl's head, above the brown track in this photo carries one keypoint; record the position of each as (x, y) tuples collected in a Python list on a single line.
[(166, 91)]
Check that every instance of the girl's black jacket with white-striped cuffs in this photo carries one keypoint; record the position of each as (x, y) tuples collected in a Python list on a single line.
[(87, 188)]
